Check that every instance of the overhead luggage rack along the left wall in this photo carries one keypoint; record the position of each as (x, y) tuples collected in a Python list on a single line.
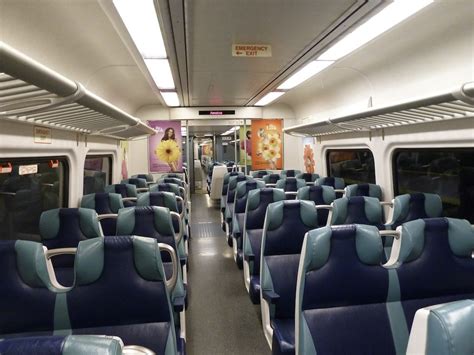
[(35, 94)]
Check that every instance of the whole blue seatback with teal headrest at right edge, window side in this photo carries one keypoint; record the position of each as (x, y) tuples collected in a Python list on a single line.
[(435, 264)]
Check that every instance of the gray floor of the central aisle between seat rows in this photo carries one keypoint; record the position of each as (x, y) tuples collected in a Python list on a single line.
[(220, 318)]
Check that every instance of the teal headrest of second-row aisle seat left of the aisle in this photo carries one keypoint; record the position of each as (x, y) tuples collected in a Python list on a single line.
[(128, 217)]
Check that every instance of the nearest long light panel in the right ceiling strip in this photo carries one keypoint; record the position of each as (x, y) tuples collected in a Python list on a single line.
[(389, 17)]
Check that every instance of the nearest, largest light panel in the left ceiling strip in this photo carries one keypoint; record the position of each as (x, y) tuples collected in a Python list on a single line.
[(142, 24)]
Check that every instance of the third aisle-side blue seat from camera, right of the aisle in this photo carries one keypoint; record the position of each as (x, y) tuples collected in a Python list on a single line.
[(257, 202)]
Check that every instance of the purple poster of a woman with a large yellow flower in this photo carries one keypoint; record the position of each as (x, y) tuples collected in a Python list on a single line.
[(164, 148)]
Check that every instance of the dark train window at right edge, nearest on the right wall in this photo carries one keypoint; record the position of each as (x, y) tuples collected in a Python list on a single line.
[(446, 172)]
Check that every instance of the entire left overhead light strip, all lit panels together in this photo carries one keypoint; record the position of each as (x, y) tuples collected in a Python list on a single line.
[(139, 17)]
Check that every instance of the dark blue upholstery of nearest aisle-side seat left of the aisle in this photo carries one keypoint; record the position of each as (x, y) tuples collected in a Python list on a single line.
[(121, 301)]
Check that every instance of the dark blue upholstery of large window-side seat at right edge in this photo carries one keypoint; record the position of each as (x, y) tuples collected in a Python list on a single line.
[(437, 275)]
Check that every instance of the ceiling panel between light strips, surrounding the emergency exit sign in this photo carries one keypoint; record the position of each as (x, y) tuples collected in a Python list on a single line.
[(214, 25)]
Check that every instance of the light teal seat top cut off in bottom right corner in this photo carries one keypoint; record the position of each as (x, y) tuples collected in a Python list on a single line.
[(443, 329)]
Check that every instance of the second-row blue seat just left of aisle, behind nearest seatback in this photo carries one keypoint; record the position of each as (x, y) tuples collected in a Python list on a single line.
[(154, 222)]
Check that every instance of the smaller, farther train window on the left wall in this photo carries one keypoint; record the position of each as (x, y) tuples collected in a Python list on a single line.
[(97, 173)]
